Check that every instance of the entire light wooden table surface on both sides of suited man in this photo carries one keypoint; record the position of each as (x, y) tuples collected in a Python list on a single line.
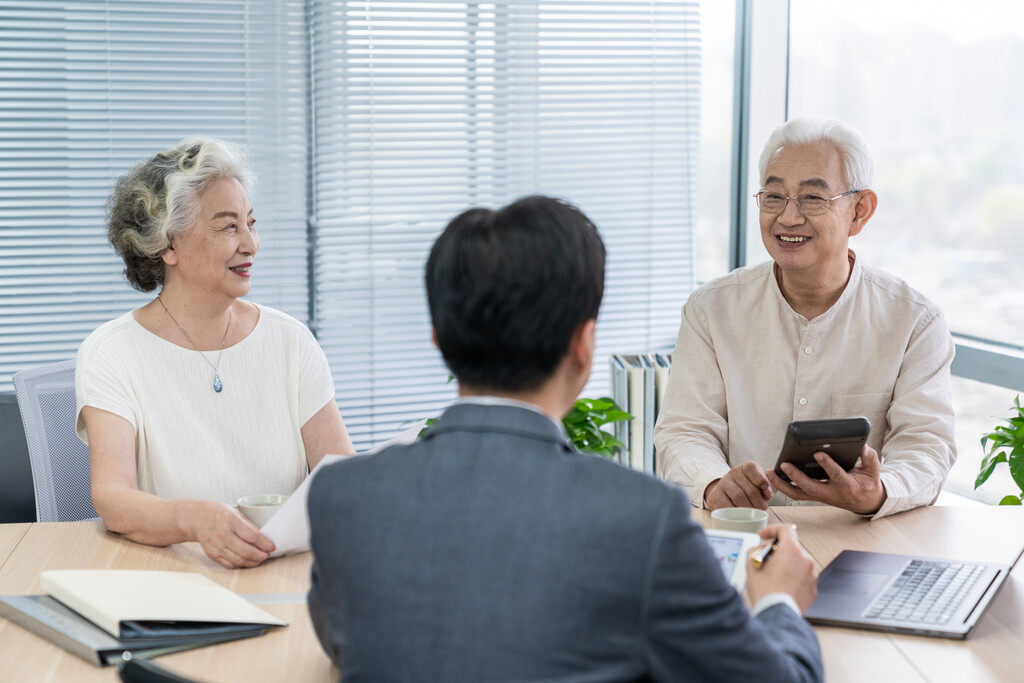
[(994, 653)]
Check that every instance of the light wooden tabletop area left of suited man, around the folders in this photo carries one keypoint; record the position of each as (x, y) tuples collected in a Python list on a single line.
[(292, 654)]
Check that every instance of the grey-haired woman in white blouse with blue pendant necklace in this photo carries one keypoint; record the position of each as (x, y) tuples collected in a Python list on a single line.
[(199, 398)]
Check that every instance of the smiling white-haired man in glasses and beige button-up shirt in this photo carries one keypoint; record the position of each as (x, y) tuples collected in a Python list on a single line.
[(813, 334)]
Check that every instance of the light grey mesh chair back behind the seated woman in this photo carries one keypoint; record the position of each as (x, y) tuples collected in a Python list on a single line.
[(60, 459)]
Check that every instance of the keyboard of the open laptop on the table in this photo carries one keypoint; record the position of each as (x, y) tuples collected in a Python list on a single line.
[(926, 593)]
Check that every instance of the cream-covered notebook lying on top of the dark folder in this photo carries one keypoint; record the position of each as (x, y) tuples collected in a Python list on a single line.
[(108, 597)]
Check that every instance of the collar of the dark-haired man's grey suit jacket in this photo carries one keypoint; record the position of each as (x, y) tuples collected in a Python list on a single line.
[(500, 417)]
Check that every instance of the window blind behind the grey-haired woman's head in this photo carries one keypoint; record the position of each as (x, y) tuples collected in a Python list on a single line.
[(90, 89)]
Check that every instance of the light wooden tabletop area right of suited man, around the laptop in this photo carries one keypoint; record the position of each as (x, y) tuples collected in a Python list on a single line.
[(994, 652)]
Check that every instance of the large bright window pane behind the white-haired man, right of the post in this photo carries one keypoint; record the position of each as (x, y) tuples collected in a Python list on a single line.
[(935, 89)]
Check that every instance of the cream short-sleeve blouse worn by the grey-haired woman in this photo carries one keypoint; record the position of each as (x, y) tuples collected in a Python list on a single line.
[(193, 442)]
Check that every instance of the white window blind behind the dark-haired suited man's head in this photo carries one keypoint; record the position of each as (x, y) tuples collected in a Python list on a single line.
[(422, 110)]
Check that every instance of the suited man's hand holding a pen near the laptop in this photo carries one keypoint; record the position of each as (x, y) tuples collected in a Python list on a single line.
[(789, 570)]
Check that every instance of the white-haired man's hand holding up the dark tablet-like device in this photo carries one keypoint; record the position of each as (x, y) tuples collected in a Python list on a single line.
[(860, 491)]
